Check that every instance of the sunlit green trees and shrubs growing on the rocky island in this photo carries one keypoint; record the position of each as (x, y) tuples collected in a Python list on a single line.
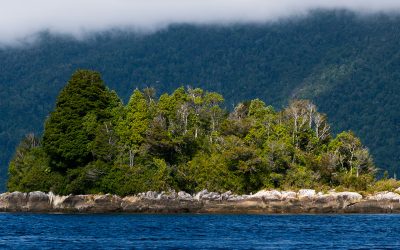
[(185, 140)]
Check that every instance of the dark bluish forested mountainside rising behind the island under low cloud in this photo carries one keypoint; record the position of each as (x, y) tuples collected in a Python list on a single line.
[(347, 65)]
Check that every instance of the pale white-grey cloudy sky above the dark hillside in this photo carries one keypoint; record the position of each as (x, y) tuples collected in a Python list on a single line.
[(21, 20)]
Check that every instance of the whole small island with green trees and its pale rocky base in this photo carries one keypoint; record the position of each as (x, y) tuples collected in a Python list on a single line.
[(197, 154)]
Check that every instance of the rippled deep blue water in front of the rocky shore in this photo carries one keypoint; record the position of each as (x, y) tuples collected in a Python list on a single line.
[(56, 231)]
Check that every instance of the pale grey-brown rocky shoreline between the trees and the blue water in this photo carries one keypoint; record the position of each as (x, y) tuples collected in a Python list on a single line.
[(305, 201)]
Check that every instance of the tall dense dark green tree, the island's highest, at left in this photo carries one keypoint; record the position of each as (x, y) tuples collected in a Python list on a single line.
[(71, 127)]
